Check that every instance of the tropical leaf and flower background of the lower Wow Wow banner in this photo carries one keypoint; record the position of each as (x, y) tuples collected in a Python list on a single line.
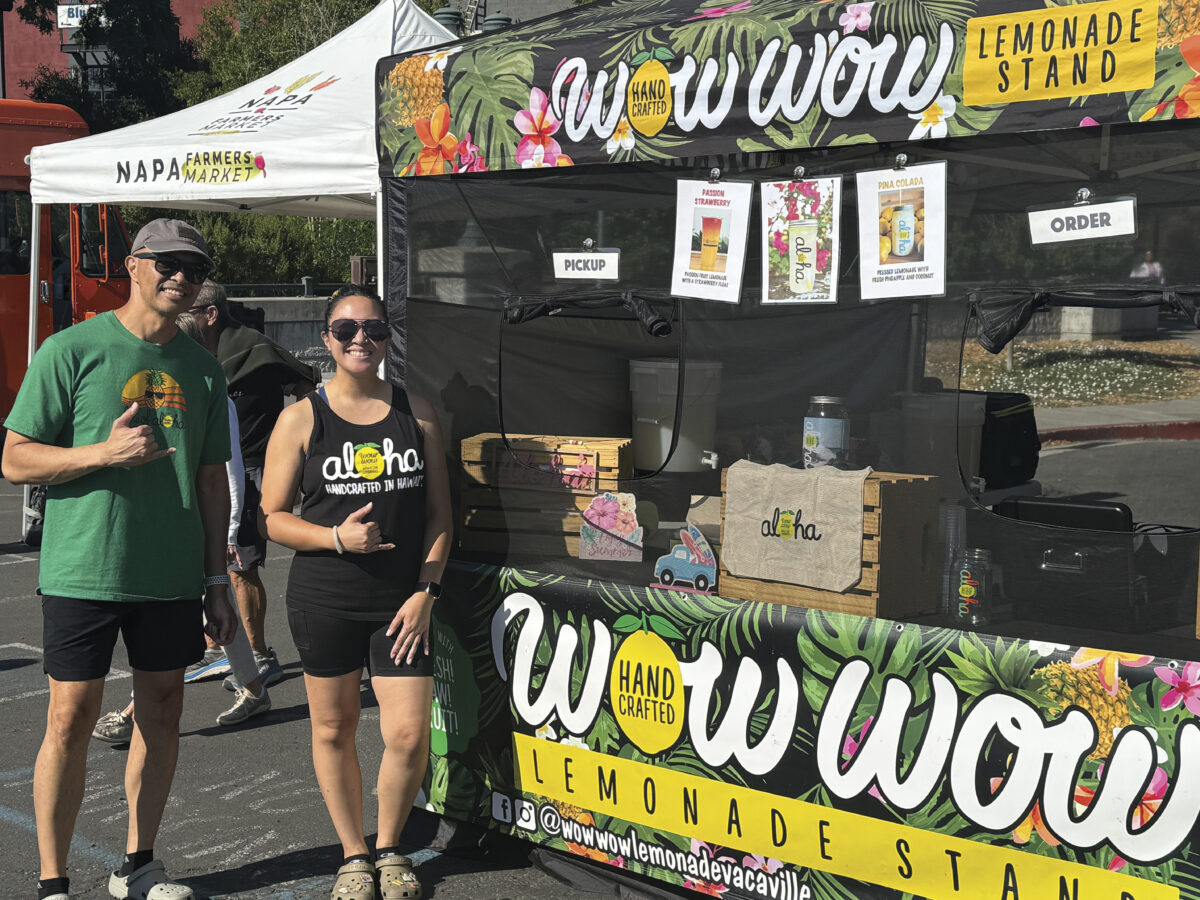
[(1117, 692)]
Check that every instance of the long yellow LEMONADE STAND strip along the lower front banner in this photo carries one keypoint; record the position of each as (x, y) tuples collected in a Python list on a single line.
[(806, 835)]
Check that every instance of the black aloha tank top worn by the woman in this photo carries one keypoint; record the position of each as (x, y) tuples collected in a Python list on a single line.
[(346, 467)]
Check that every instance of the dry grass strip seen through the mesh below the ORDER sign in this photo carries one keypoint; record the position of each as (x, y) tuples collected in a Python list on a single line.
[(1063, 374)]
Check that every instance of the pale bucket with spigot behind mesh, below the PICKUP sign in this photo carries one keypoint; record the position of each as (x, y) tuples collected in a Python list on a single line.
[(653, 385)]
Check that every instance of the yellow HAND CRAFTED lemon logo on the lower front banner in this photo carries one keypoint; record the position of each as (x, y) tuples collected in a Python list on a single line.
[(646, 686)]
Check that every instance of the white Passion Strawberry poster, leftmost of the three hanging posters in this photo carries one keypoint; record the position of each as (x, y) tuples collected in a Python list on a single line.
[(712, 223)]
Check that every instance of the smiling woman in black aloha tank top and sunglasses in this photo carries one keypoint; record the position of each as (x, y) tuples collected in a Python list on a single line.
[(371, 539)]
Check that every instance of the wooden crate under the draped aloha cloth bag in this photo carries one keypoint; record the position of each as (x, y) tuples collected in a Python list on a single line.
[(901, 556)]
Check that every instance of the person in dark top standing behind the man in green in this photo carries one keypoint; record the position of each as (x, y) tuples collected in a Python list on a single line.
[(261, 376)]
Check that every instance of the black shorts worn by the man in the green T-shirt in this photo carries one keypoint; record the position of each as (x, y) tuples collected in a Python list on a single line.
[(79, 637)]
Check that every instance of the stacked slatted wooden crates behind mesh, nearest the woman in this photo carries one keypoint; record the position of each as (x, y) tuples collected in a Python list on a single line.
[(535, 505)]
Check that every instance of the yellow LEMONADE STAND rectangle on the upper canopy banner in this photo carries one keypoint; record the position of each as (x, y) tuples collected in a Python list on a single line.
[(1064, 52)]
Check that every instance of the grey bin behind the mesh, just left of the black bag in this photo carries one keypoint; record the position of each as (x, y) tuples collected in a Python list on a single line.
[(929, 428)]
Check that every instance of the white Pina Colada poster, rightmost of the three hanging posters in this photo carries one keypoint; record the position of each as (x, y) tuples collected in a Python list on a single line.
[(902, 232)]
